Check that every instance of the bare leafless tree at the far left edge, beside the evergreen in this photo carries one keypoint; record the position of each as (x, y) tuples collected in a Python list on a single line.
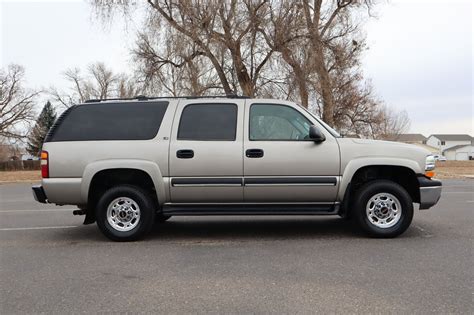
[(16, 103)]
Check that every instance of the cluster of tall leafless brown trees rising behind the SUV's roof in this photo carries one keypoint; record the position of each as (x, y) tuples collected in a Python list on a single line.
[(307, 51)]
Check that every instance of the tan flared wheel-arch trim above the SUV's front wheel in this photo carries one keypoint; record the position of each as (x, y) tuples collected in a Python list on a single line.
[(355, 164)]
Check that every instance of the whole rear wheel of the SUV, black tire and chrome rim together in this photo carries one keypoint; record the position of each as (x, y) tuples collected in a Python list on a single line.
[(125, 213)]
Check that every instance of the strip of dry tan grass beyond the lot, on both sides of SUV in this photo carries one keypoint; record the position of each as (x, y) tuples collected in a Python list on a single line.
[(448, 169)]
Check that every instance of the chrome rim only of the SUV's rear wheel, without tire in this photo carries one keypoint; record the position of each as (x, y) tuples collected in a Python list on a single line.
[(123, 214)]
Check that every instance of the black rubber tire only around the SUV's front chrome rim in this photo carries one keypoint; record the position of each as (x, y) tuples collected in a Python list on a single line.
[(371, 189)]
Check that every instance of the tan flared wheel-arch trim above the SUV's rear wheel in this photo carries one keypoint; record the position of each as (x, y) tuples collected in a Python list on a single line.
[(148, 167)]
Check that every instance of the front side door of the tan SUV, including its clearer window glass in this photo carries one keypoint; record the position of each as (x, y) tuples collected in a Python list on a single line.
[(280, 163)]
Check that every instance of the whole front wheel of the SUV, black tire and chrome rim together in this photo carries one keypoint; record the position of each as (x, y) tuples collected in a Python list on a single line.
[(383, 208)]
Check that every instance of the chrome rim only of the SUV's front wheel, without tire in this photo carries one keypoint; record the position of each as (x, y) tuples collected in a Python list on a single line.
[(383, 210)]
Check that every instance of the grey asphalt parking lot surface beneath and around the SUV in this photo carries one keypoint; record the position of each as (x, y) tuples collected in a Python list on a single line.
[(50, 263)]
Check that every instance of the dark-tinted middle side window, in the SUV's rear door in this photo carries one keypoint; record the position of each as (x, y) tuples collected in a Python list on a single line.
[(208, 122)]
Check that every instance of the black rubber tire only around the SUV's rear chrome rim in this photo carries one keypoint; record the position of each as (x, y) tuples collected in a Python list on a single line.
[(146, 209)]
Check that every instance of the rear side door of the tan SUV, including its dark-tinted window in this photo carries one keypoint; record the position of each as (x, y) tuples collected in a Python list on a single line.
[(206, 152)]
